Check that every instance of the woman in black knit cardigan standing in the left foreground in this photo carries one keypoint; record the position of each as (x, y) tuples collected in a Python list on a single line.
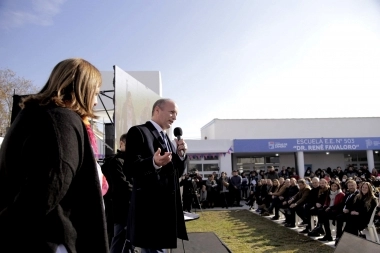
[(54, 203)]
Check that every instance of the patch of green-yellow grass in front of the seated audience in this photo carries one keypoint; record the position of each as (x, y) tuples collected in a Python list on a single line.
[(243, 231)]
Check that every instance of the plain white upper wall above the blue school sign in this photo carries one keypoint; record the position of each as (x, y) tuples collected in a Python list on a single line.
[(291, 128)]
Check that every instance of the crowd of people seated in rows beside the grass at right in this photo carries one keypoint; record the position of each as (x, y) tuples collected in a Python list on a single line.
[(345, 199)]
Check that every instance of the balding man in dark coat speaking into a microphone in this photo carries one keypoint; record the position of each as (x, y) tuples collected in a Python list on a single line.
[(156, 217)]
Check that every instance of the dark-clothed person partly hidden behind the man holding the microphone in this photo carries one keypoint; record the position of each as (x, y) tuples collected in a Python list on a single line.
[(121, 190)]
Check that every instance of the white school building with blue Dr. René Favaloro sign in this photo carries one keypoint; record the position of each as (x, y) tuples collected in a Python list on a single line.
[(254, 144)]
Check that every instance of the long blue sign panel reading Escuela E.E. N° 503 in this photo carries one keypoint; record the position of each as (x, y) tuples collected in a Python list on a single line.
[(306, 144)]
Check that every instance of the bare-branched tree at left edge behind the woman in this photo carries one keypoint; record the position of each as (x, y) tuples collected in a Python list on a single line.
[(11, 84)]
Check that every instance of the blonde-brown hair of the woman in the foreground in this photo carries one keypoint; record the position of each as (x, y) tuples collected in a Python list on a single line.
[(72, 84)]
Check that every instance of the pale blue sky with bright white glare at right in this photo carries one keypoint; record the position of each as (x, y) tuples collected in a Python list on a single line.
[(235, 59)]
